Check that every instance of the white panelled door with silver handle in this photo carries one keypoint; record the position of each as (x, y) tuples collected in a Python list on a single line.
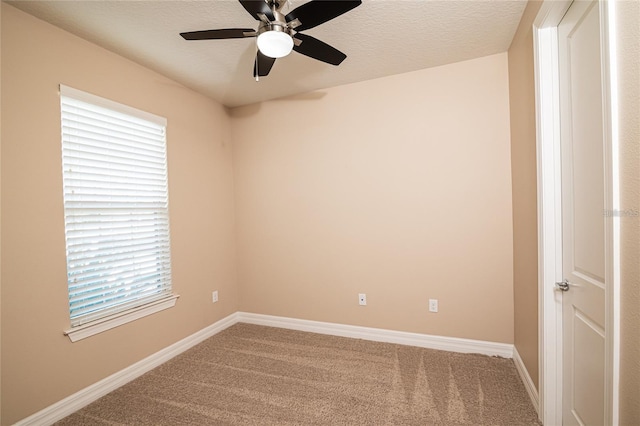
[(583, 216)]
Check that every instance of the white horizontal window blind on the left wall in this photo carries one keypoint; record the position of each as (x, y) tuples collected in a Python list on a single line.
[(115, 206)]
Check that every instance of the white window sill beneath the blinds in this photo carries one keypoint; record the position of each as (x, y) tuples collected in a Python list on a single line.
[(95, 327)]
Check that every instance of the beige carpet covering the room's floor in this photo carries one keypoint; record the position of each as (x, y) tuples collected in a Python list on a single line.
[(258, 375)]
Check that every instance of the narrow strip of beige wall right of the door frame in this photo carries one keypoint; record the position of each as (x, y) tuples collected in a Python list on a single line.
[(628, 19)]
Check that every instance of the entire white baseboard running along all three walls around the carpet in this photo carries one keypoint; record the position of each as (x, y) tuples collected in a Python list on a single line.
[(84, 397)]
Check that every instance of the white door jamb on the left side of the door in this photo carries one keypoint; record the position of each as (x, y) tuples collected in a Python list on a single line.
[(545, 43)]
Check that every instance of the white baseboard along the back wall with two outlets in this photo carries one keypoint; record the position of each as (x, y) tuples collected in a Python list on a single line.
[(452, 344)]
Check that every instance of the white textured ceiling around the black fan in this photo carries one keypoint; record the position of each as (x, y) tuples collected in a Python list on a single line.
[(380, 38)]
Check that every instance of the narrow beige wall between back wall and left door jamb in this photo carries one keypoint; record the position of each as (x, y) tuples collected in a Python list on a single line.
[(524, 191)]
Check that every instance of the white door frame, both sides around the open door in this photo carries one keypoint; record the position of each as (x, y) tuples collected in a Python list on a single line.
[(545, 39)]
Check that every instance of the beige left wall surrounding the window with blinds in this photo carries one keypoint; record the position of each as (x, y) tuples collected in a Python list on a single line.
[(39, 365)]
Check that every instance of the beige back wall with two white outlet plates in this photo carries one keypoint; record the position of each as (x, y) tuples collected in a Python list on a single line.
[(398, 188)]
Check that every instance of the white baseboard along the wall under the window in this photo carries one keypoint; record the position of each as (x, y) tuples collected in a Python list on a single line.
[(84, 397)]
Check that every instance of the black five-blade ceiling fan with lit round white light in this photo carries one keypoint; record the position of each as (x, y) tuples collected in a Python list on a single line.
[(278, 34)]
